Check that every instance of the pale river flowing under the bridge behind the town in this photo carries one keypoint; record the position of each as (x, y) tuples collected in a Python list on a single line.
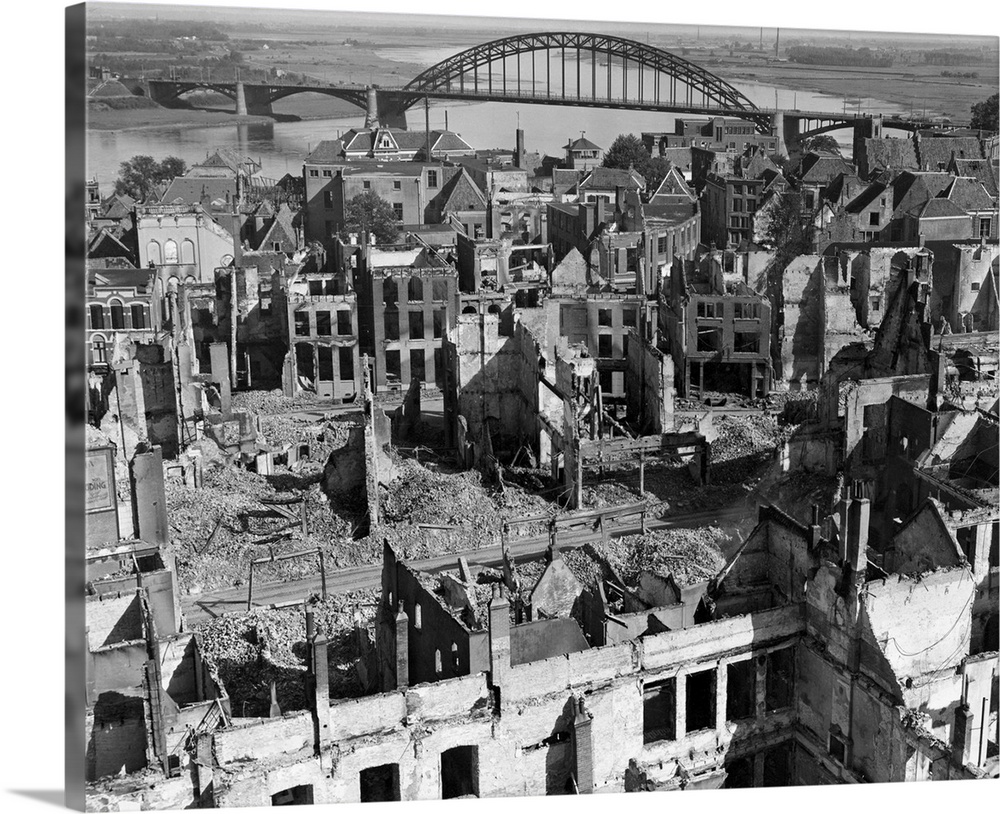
[(282, 146)]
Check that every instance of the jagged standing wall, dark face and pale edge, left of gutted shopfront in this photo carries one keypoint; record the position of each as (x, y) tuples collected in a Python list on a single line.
[(649, 387)]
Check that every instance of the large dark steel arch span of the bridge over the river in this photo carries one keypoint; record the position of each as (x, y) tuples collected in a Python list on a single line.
[(578, 69)]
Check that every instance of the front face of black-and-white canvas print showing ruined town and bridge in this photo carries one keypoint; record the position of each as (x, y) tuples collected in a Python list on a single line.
[(486, 407)]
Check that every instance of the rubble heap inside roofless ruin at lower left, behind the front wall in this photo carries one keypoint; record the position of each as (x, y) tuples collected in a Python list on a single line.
[(251, 650)]
